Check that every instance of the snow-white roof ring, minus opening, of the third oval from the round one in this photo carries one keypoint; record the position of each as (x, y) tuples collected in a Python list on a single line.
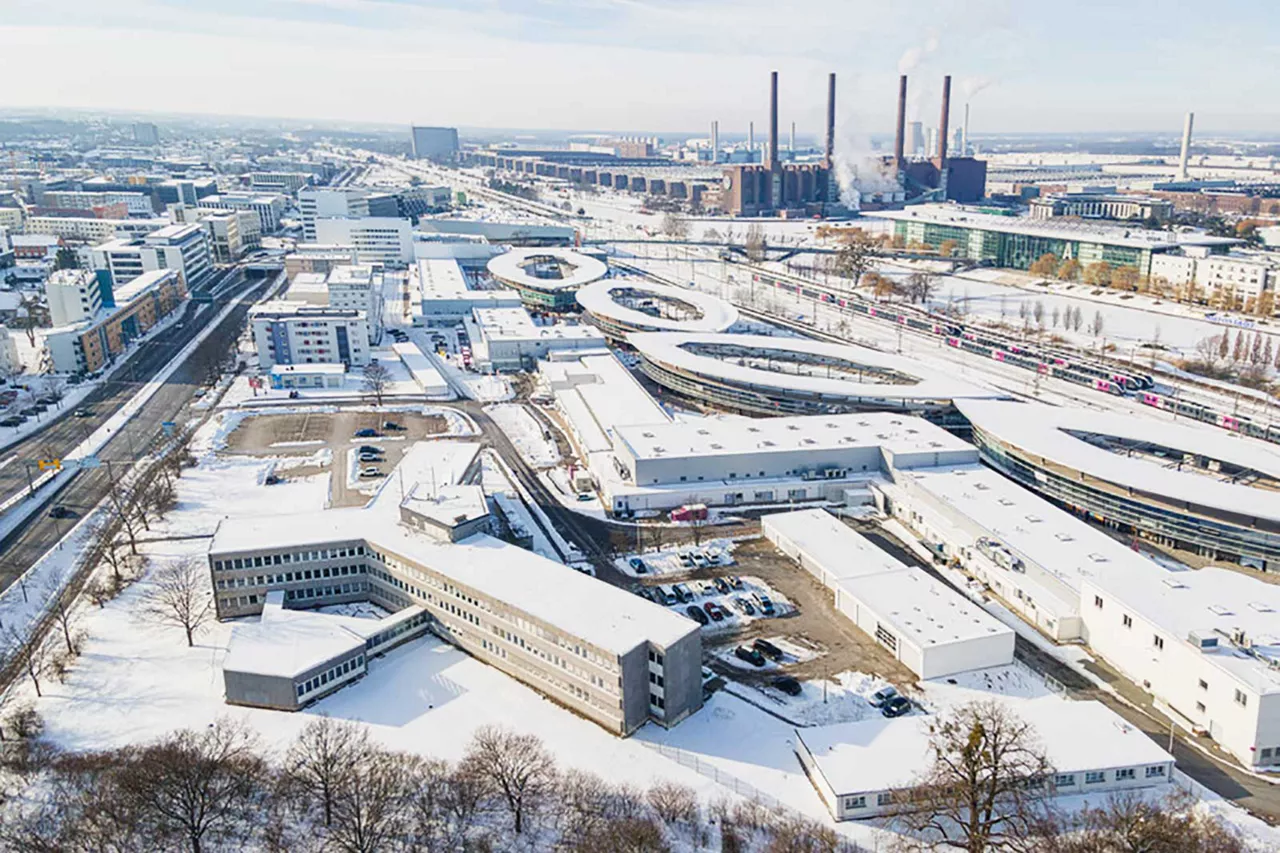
[(679, 350)]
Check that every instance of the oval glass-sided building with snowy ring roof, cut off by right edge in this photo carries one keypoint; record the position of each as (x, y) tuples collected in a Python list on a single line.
[(1181, 485)]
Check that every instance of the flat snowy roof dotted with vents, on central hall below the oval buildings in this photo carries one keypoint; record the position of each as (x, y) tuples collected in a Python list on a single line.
[(729, 436)]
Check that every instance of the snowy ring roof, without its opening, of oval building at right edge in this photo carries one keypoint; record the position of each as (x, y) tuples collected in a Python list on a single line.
[(1041, 432)]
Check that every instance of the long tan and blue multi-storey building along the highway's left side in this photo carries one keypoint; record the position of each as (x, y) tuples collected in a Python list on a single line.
[(138, 307)]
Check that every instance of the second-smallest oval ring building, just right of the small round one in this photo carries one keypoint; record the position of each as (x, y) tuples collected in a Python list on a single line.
[(620, 307)]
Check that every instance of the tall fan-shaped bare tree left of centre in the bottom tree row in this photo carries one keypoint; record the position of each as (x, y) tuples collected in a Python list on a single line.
[(516, 767)]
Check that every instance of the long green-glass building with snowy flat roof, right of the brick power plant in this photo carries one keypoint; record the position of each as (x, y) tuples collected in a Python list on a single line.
[(1018, 243)]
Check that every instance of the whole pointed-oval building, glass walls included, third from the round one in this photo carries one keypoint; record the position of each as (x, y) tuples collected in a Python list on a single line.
[(778, 376)]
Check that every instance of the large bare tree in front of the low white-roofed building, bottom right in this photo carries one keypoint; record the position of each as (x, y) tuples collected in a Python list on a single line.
[(985, 787)]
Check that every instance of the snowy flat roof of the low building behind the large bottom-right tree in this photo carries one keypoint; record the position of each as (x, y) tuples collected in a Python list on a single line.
[(879, 755)]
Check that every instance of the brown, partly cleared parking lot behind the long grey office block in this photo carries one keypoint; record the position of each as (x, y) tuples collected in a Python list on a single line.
[(300, 435)]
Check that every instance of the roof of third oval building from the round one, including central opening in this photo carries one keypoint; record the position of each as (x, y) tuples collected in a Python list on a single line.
[(801, 368)]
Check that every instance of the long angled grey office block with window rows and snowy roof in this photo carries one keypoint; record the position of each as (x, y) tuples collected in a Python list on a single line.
[(597, 650)]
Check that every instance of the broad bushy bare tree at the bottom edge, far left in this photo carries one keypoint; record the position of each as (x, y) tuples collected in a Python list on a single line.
[(198, 790)]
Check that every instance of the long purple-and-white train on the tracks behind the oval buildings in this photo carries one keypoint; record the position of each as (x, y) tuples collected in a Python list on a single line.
[(1041, 361)]
